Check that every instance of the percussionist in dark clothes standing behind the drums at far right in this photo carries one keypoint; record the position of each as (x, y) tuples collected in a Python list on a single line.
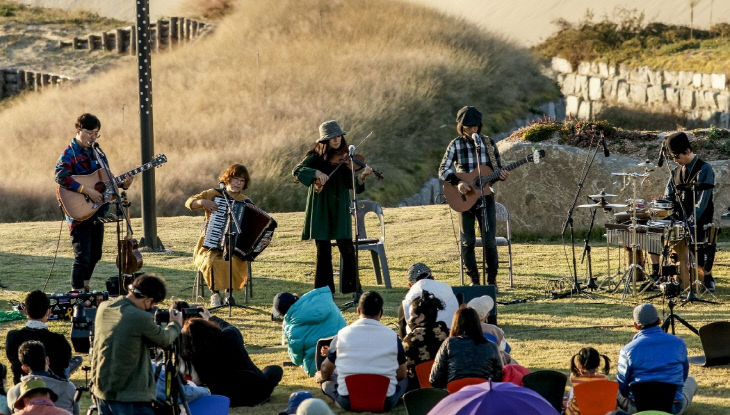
[(691, 169)]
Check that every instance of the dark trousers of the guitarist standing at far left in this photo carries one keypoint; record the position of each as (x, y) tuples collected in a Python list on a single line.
[(87, 239)]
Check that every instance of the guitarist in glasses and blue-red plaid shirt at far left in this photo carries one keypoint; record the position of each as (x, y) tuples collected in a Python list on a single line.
[(87, 236)]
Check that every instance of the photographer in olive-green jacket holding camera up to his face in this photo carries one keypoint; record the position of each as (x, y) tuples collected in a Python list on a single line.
[(121, 372)]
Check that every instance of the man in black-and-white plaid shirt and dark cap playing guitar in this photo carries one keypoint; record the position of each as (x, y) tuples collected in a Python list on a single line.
[(460, 157)]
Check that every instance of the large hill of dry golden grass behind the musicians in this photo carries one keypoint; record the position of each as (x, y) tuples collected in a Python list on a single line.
[(256, 90)]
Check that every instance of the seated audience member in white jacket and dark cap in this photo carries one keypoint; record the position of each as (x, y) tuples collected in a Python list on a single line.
[(419, 279)]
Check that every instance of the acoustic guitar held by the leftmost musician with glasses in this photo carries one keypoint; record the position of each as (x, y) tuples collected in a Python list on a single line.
[(79, 206)]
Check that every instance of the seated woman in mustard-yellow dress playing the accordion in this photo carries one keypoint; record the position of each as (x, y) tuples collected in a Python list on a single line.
[(211, 263)]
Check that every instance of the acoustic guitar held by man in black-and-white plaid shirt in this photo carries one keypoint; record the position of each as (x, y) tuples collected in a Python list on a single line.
[(462, 203)]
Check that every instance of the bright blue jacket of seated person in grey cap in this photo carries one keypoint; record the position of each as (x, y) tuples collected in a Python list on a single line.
[(653, 356)]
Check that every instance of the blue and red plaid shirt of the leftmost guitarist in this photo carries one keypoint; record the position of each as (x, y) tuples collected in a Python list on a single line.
[(74, 160)]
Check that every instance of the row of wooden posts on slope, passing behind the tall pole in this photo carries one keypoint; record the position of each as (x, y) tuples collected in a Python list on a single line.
[(164, 34)]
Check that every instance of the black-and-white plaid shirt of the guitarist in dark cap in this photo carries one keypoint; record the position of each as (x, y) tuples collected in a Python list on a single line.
[(459, 158)]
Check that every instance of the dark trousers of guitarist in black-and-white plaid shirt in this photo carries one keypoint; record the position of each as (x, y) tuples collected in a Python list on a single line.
[(468, 240)]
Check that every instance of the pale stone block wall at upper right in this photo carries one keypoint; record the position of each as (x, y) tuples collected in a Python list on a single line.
[(592, 86)]
